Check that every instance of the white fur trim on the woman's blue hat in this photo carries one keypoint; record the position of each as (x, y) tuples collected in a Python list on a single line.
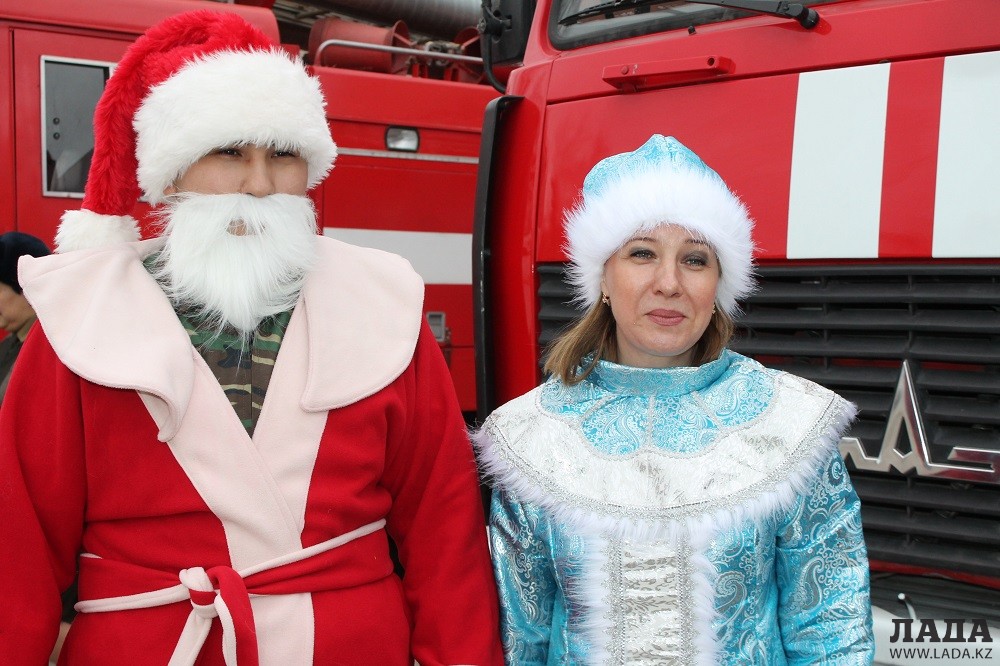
[(699, 202)]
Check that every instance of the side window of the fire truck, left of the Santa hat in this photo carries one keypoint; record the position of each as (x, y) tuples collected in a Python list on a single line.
[(70, 90)]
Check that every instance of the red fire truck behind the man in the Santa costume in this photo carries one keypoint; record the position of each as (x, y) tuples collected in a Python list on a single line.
[(406, 118)]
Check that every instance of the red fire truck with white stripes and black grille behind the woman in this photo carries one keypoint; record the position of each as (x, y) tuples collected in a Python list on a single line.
[(862, 134)]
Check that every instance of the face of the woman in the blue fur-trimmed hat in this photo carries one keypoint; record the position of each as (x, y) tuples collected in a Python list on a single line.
[(661, 284)]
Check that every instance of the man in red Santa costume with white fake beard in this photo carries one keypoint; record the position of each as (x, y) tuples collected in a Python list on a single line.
[(223, 426)]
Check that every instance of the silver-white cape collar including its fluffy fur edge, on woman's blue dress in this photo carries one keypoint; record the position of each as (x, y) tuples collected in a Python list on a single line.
[(740, 492)]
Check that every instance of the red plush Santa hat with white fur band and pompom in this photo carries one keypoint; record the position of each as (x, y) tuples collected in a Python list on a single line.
[(193, 83)]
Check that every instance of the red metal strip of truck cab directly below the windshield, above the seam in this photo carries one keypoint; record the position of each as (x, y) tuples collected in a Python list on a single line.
[(868, 31)]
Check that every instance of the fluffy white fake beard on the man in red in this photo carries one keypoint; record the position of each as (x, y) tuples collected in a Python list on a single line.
[(236, 281)]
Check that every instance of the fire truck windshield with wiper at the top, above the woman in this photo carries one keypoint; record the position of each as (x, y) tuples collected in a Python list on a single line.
[(576, 23)]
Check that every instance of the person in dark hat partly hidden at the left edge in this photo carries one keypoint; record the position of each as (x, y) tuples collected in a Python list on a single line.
[(16, 313)]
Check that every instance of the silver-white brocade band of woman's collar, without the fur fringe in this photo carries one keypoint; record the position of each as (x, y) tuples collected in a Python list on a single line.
[(551, 453)]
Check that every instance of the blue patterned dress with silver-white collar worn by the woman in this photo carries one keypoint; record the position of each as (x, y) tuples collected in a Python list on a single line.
[(678, 516)]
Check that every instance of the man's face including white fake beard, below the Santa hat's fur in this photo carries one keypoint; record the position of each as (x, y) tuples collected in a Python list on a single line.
[(240, 235)]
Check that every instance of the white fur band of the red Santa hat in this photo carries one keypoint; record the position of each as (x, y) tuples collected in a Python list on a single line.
[(230, 98)]
